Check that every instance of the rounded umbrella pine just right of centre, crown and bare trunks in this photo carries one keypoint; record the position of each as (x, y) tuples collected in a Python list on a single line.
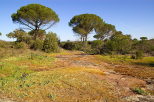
[(84, 24)]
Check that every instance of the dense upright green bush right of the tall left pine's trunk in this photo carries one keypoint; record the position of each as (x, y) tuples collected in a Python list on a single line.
[(51, 43)]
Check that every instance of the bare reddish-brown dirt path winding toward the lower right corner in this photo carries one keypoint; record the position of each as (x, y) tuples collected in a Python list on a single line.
[(123, 84)]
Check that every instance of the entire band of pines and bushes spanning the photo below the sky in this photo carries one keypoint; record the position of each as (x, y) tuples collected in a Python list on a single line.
[(36, 19)]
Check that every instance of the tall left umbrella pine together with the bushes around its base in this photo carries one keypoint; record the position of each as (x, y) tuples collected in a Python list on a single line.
[(36, 19)]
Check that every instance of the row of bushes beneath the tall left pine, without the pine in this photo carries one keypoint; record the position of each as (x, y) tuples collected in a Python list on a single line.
[(49, 43)]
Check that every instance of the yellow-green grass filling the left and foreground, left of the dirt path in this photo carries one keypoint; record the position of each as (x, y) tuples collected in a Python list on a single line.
[(19, 81)]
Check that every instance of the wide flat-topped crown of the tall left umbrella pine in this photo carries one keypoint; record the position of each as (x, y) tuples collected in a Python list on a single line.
[(35, 16)]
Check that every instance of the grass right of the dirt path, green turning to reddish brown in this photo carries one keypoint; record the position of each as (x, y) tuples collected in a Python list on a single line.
[(141, 68)]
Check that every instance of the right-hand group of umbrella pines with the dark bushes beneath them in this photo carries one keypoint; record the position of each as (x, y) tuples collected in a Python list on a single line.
[(109, 40)]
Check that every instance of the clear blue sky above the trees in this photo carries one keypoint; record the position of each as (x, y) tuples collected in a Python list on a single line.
[(134, 17)]
